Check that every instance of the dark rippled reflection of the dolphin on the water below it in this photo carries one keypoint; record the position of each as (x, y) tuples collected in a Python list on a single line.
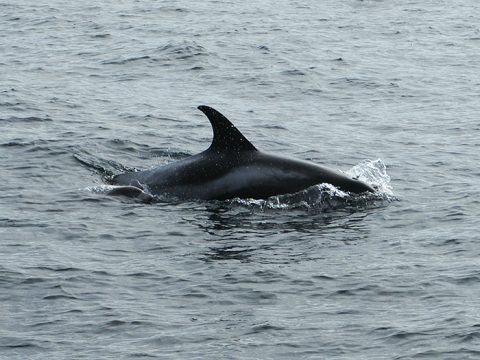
[(239, 232)]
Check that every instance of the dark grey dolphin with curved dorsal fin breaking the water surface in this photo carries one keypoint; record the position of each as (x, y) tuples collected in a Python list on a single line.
[(233, 168)]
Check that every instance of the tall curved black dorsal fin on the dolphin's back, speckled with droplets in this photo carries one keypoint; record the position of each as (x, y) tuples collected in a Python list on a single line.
[(226, 137)]
